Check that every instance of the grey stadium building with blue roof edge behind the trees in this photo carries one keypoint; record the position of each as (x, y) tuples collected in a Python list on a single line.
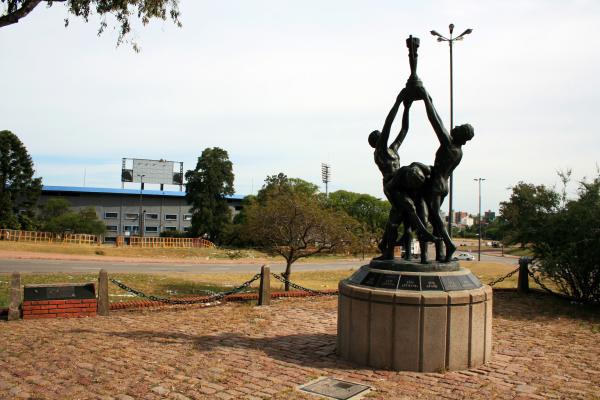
[(120, 209)]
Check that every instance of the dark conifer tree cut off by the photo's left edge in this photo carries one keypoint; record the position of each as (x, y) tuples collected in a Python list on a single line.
[(19, 190)]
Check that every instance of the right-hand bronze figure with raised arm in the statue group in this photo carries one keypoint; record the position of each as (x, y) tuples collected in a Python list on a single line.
[(447, 158)]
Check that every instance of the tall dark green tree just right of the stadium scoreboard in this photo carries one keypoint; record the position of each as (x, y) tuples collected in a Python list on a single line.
[(206, 188)]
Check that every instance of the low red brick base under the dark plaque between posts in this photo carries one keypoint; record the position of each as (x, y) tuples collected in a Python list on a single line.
[(59, 308)]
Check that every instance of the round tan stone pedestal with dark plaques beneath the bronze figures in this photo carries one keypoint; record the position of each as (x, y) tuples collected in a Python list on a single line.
[(393, 316)]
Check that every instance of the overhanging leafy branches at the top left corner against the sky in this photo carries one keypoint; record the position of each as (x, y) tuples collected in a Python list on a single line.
[(123, 10)]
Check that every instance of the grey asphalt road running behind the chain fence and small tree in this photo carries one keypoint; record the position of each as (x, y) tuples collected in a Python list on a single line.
[(46, 266)]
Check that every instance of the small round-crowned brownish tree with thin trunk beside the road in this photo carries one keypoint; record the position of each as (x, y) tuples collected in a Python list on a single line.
[(287, 220)]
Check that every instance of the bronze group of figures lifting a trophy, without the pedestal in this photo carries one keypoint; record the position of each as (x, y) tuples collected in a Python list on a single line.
[(416, 191)]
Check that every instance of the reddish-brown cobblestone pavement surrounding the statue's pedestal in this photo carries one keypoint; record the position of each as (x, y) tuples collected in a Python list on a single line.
[(542, 349)]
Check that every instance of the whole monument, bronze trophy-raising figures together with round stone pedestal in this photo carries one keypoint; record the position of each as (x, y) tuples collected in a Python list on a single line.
[(401, 314)]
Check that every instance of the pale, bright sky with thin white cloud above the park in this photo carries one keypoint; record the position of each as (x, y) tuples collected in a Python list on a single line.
[(284, 86)]
